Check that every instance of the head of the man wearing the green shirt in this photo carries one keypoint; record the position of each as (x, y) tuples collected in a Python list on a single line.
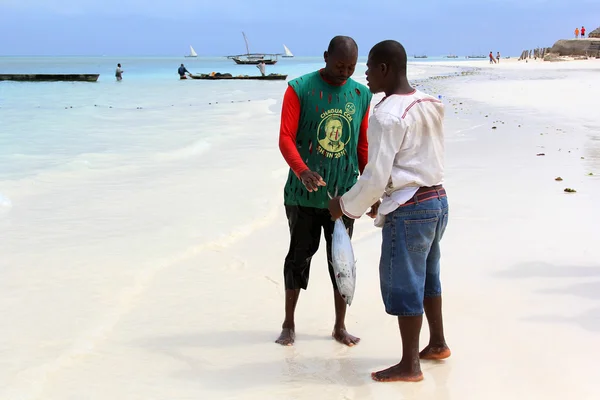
[(340, 59)]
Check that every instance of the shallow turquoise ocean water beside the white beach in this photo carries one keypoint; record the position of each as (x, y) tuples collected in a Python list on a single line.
[(57, 125)]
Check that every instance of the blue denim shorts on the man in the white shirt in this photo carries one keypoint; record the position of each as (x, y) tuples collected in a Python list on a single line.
[(409, 269)]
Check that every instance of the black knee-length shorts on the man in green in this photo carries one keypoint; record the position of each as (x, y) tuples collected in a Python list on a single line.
[(305, 235)]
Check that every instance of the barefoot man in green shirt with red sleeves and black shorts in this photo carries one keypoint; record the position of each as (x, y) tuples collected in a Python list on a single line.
[(323, 138)]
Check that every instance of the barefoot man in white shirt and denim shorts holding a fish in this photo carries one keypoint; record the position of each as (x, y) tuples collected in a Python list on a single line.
[(406, 168)]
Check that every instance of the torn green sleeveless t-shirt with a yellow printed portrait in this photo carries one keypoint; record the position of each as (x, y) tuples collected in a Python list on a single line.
[(327, 137)]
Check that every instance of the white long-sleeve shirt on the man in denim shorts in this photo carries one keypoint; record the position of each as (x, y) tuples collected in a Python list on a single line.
[(406, 152)]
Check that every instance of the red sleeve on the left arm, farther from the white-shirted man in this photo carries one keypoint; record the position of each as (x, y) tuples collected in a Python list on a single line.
[(290, 116)]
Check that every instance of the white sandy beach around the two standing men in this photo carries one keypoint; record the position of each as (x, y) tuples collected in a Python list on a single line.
[(130, 305)]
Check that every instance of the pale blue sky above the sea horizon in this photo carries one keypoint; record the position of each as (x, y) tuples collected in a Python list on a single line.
[(214, 28)]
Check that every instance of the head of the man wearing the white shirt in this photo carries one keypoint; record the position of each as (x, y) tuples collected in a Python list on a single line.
[(386, 65)]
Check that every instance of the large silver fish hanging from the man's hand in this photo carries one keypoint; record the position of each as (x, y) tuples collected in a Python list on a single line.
[(344, 264)]
